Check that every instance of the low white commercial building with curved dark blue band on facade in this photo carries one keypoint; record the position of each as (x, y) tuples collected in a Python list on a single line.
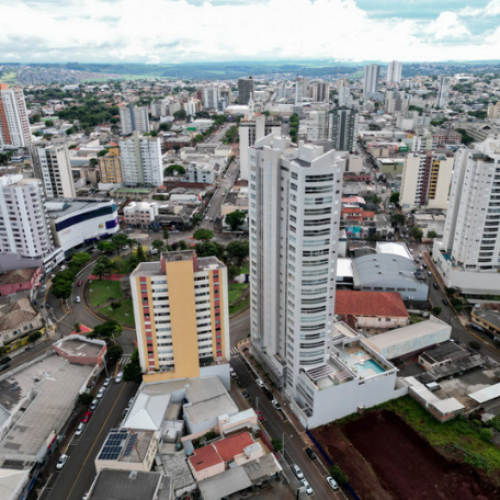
[(81, 222)]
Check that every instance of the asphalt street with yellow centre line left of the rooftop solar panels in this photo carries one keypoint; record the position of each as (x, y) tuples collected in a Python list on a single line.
[(72, 482)]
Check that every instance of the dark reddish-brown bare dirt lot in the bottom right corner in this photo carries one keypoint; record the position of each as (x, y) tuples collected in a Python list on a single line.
[(386, 459)]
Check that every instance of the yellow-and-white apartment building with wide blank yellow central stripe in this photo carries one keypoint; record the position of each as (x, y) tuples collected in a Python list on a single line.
[(181, 314)]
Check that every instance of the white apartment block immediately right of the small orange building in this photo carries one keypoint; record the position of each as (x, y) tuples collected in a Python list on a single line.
[(141, 160)]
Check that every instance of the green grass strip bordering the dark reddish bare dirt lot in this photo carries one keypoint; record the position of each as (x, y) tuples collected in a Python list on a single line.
[(458, 435)]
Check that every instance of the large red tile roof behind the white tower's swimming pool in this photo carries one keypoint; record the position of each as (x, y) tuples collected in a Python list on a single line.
[(379, 304)]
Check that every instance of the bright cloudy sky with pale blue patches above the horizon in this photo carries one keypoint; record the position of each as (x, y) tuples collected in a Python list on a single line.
[(183, 31)]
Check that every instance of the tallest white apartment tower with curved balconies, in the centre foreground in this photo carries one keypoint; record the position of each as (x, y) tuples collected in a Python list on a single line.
[(294, 215)]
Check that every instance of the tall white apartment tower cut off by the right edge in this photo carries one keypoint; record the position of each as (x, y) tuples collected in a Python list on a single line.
[(471, 234)]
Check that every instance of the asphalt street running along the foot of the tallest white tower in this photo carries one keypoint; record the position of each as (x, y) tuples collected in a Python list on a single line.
[(278, 428)]
